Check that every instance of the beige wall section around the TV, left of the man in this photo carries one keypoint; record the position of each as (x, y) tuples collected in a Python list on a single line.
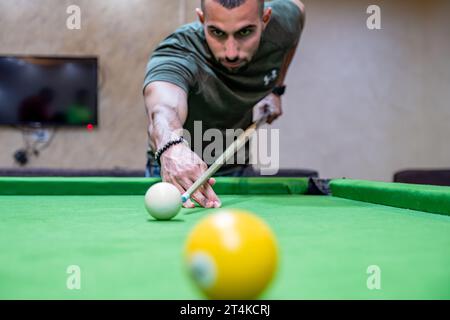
[(122, 34)]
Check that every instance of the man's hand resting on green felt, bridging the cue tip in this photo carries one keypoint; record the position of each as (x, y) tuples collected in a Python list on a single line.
[(182, 167)]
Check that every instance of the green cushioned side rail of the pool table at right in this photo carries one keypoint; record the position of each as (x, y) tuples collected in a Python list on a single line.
[(434, 199)]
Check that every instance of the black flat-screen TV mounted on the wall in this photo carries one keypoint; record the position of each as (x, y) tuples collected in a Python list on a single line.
[(56, 91)]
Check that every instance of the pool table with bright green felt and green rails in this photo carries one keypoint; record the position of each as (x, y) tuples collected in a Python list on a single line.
[(331, 246)]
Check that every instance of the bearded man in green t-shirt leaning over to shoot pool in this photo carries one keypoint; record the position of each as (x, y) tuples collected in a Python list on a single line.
[(216, 71)]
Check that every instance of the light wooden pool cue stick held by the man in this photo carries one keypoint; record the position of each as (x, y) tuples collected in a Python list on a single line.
[(229, 152)]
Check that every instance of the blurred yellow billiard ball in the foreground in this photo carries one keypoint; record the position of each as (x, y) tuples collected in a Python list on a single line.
[(231, 254)]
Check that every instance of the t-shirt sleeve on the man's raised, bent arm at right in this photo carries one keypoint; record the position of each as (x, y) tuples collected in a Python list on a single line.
[(286, 23)]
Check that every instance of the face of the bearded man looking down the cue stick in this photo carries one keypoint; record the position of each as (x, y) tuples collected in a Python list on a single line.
[(233, 35)]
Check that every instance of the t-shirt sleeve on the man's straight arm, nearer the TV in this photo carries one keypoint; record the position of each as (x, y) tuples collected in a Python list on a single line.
[(171, 65)]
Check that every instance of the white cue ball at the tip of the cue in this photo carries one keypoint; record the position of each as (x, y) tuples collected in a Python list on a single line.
[(163, 201)]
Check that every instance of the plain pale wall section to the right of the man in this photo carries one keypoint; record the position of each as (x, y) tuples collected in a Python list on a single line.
[(370, 102)]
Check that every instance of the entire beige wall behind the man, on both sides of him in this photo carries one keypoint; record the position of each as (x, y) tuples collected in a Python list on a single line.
[(361, 103)]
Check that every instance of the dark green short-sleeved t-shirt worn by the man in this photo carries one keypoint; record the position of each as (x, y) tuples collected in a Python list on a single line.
[(218, 98)]
